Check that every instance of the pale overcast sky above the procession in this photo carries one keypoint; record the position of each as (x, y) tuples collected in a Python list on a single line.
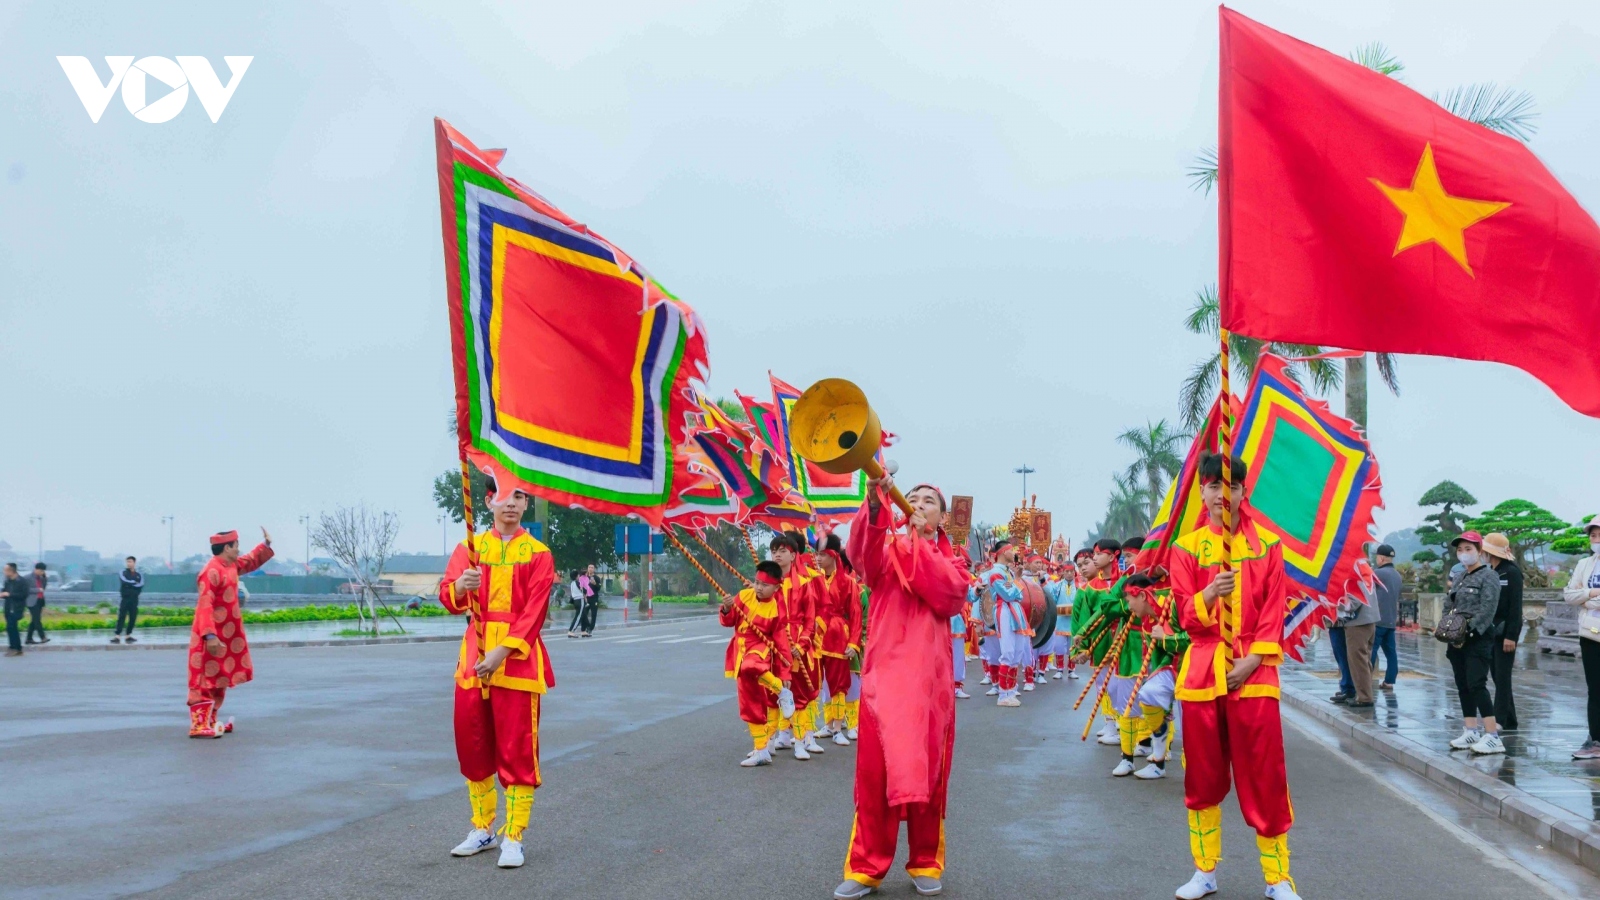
[(242, 323)]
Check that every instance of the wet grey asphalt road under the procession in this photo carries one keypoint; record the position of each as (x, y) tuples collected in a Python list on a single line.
[(342, 784)]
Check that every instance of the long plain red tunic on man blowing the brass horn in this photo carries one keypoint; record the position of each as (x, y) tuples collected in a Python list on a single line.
[(906, 677)]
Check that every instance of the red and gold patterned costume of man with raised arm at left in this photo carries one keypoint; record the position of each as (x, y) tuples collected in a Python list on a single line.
[(217, 614)]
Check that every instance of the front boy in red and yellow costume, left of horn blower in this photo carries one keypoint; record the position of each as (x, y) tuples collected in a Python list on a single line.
[(759, 659)]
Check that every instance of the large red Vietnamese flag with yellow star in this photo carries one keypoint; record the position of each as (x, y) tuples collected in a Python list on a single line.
[(1359, 214)]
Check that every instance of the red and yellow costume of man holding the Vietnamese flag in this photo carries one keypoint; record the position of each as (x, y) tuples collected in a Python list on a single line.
[(1220, 723)]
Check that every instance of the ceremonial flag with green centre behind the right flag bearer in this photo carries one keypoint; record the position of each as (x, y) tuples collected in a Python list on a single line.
[(1311, 480)]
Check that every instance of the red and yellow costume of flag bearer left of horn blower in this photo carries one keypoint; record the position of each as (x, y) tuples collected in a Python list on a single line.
[(498, 720)]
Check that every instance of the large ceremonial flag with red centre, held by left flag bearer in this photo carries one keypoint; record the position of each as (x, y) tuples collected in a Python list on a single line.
[(572, 364)]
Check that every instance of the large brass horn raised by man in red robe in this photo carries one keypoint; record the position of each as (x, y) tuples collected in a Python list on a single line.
[(833, 425)]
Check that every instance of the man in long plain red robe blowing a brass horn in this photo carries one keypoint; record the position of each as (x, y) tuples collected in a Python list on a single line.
[(908, 718)]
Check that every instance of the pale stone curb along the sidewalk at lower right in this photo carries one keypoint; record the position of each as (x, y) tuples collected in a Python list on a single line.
[(1562, 830)]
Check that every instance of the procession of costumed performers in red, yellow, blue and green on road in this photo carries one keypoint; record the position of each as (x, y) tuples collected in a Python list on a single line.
[(850, 643)]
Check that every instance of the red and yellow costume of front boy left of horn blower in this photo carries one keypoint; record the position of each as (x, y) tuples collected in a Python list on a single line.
[(759, 659)]
